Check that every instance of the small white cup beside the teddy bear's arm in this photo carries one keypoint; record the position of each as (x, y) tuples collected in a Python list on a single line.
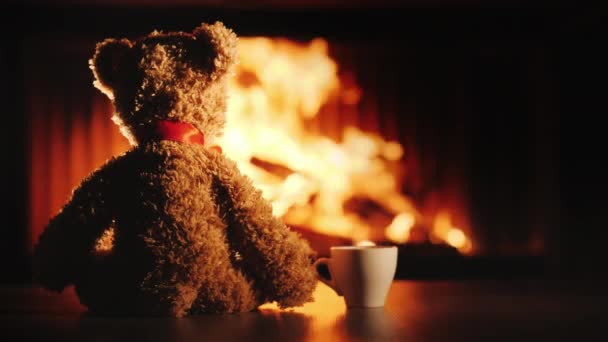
[(362, 274)]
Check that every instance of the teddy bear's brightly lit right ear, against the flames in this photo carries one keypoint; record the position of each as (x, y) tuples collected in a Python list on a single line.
[(223, 42)]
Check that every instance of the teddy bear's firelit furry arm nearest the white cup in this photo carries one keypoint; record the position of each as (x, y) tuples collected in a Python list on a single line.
[(275, 257)]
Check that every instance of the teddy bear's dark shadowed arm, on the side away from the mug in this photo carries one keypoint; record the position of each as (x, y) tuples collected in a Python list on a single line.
[(70, 235)]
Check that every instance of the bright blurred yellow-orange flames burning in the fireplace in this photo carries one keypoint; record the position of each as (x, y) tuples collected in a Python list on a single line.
[(279, 87)]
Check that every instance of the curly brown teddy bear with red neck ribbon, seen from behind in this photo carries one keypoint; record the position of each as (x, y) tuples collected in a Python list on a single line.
[(190, 233)]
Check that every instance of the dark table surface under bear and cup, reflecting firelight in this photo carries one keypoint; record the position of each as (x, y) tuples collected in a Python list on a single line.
[(415, 311)]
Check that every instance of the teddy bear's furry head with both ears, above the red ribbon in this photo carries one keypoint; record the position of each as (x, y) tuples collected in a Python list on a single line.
[(172, 76)]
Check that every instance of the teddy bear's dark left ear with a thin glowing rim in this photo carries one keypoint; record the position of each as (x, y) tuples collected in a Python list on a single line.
[(108, 63)]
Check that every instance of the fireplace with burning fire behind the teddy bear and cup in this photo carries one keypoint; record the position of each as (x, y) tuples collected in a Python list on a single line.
[(441, 140)]
